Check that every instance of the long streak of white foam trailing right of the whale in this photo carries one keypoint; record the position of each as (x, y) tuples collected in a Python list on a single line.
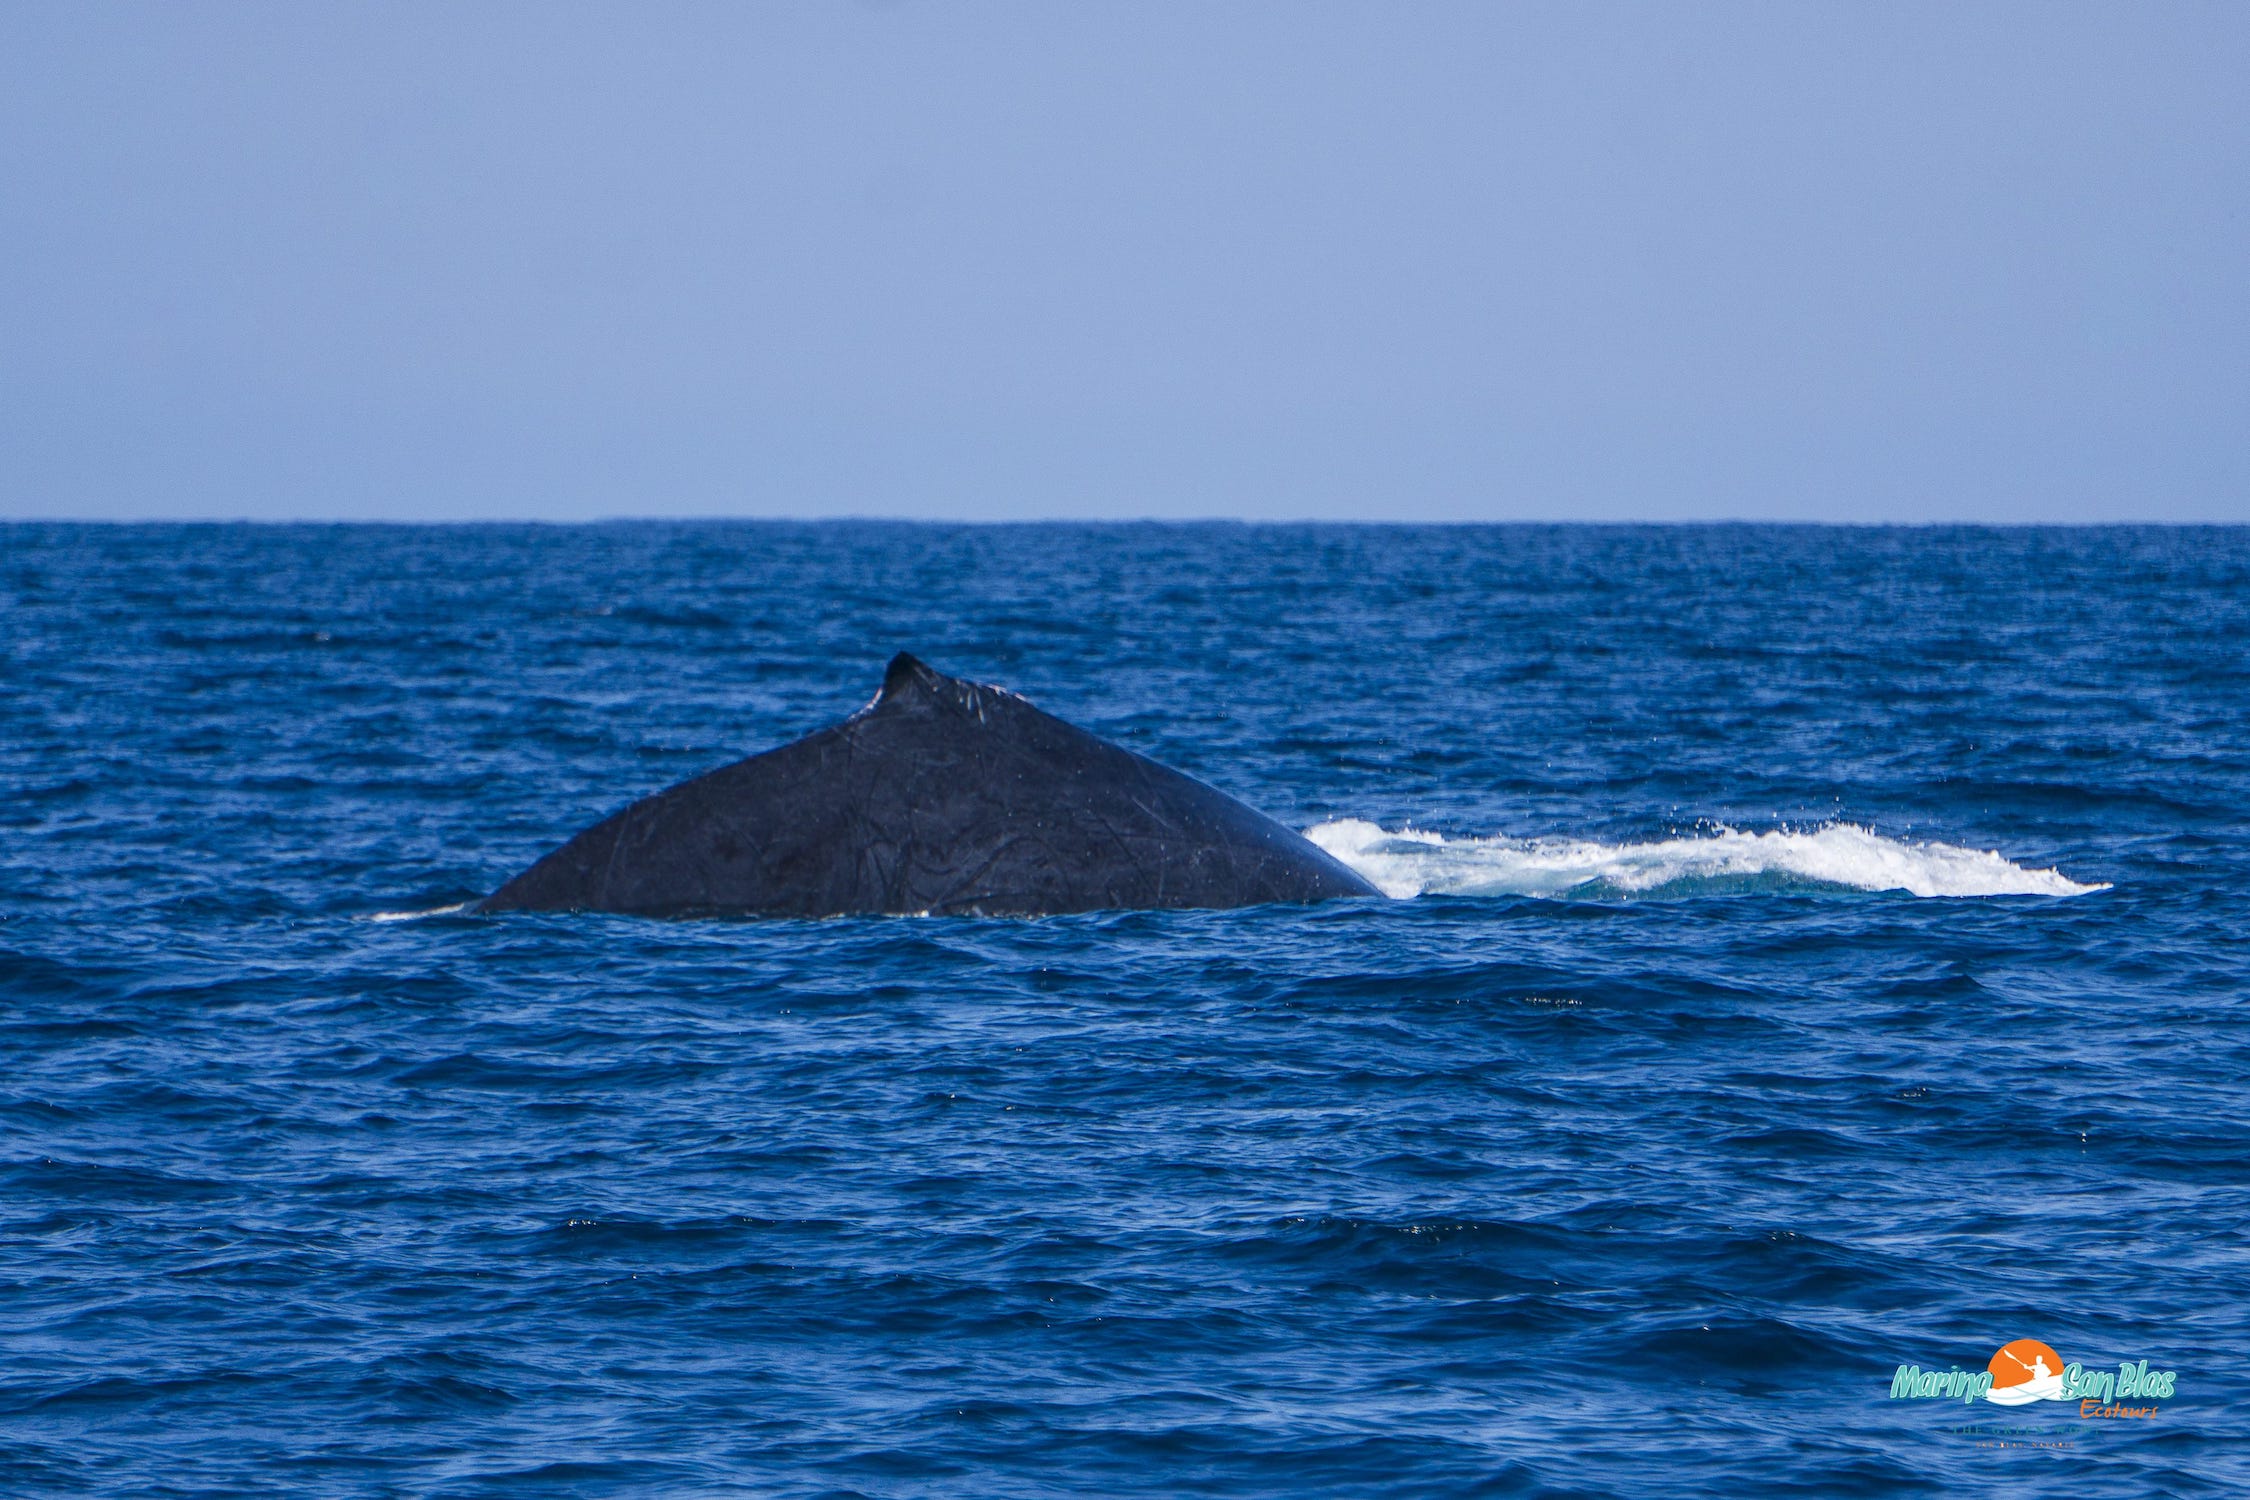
[(1412, 862)]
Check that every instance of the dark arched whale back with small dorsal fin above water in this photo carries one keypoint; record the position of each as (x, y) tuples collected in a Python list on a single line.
[(942, 797)]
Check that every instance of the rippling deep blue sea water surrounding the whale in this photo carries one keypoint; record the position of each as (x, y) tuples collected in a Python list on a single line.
[(1812, 952)]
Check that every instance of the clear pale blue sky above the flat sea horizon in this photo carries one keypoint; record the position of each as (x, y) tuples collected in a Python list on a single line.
[(1434, 262)]
